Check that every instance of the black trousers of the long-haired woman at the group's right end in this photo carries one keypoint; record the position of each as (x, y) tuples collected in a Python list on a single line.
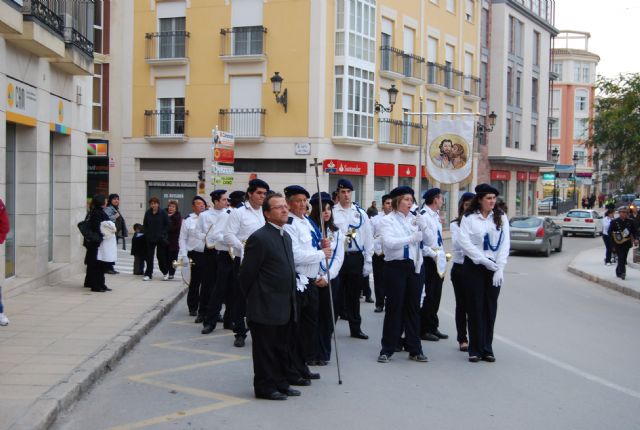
[(482, 305)]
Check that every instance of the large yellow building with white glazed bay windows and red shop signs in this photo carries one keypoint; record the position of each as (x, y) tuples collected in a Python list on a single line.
[(196, 65)]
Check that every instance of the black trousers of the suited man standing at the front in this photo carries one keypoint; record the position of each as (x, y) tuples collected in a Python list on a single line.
[(269, 348)]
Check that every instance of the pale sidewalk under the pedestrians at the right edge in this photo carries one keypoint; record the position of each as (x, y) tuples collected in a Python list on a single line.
[(589, 264)]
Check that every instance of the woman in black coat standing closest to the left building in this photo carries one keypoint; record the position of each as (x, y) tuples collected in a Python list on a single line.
[(94, 278)]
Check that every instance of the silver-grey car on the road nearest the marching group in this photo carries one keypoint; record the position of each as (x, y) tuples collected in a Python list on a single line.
[(535, 234)]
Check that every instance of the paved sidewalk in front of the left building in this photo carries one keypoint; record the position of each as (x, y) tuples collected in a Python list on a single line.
[(62, 338)]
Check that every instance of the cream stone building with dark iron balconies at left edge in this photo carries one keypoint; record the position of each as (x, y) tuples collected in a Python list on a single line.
[(46, 62)]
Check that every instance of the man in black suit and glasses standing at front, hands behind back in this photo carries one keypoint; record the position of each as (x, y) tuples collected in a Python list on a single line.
[(268, 281)]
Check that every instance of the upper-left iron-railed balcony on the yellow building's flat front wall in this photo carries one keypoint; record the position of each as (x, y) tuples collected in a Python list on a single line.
[(167, 48)]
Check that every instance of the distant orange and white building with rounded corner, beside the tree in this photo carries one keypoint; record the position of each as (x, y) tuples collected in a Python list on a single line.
[(572, 109)]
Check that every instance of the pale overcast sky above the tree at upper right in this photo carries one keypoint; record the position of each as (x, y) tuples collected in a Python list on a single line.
[(615, 31)]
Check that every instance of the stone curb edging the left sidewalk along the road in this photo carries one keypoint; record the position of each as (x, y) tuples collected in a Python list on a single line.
[(43, 412)]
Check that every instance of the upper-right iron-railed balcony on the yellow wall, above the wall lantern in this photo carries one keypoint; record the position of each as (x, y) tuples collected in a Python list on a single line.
[(243, 44)]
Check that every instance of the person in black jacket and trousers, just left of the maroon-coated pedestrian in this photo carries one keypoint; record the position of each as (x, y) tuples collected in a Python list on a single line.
[(156, 233)]
